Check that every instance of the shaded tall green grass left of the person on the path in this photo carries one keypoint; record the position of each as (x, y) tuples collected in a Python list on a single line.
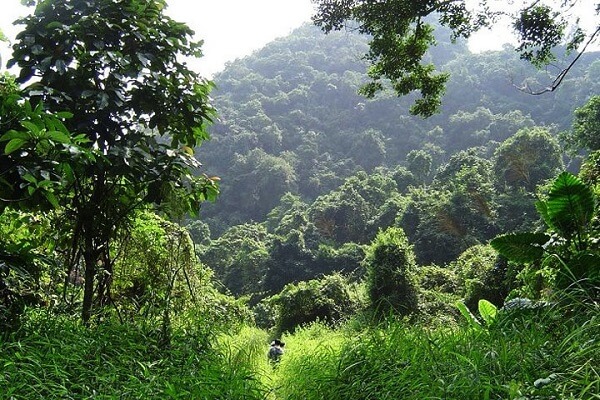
[(58, 358)]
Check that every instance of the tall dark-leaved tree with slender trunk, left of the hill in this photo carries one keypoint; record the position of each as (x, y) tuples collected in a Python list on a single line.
[(115, 65)]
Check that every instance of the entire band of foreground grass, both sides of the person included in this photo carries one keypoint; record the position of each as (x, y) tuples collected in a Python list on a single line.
[(550, 352)]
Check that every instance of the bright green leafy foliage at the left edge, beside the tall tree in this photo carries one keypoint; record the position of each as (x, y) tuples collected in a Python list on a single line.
[(37, 153)]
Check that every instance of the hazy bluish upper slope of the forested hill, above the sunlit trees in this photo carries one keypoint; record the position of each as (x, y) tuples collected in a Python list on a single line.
[(291, 119)]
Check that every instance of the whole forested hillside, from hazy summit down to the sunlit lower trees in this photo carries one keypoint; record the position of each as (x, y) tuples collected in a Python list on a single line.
[(311, 171)]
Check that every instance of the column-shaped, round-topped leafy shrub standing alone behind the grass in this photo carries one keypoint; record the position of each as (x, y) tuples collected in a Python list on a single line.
[(391, 265)]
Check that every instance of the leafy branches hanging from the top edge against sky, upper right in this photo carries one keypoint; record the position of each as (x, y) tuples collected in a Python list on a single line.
[(401, 33)]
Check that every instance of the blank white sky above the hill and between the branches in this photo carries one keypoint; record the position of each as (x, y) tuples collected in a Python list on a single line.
[(235, 28)]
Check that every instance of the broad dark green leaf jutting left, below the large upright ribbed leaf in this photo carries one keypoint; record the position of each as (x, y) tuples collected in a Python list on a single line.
[(521, 247)]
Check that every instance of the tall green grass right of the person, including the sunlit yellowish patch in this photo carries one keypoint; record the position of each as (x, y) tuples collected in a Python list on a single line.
[(548, 353)]
